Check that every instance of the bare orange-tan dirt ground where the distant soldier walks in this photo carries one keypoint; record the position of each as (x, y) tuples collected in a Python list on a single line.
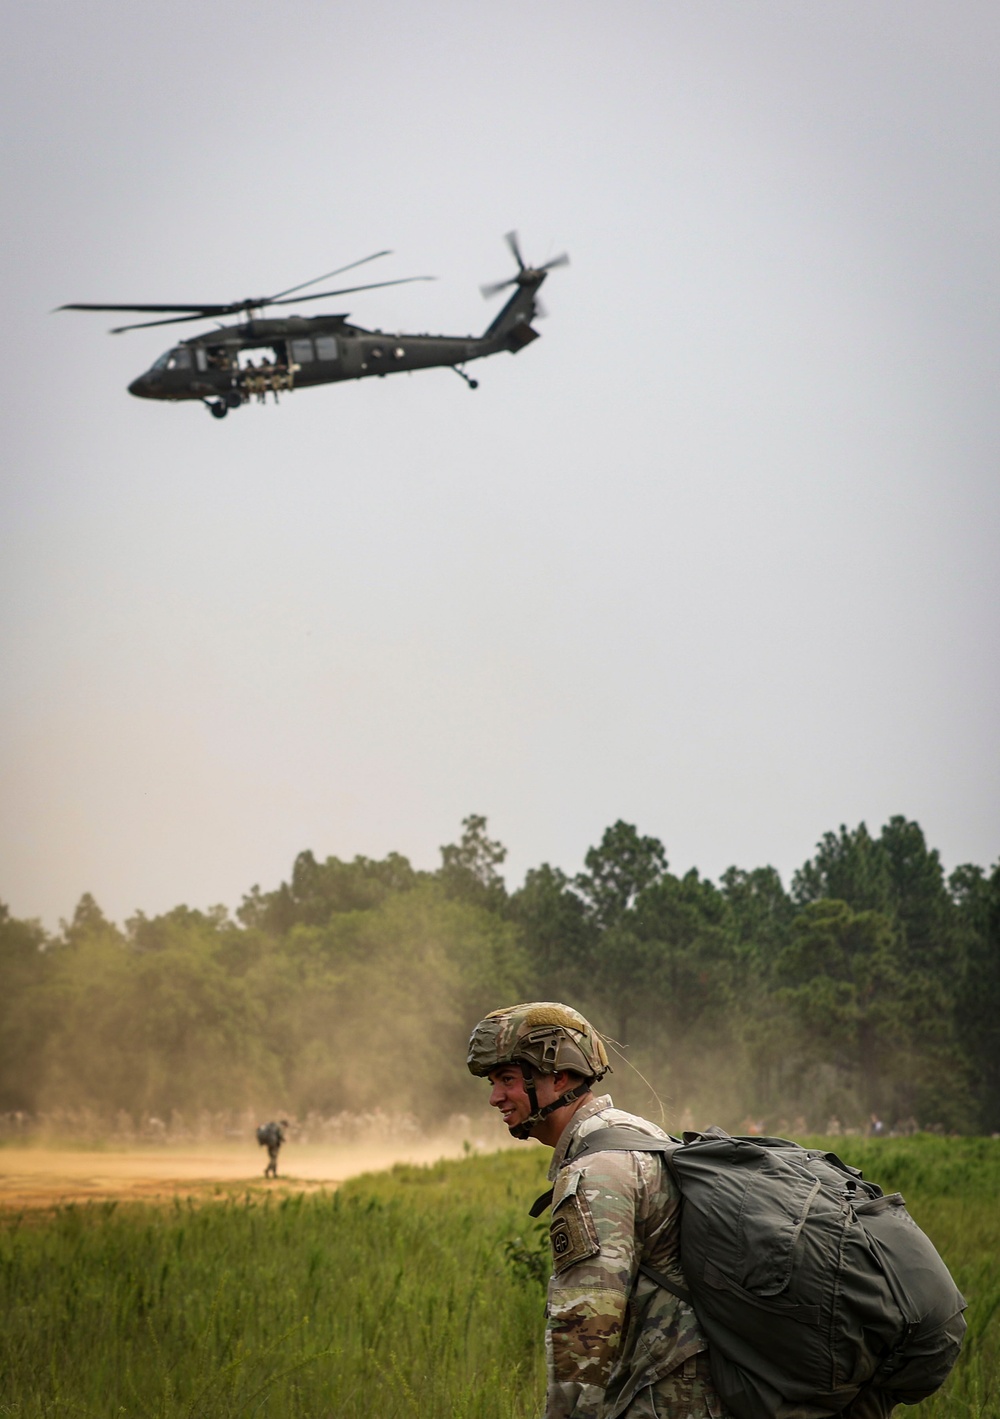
[(46, 1178)]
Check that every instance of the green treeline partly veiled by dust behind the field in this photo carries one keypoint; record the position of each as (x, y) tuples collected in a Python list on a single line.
[(869, 987)]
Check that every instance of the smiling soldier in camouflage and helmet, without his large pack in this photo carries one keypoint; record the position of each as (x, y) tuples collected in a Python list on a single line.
[(618, 1343)]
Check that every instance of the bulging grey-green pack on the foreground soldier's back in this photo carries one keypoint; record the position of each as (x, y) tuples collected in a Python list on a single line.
[(811, 1285)]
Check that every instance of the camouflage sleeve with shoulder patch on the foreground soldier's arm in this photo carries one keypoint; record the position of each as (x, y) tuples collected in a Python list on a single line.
[(595, 1262)]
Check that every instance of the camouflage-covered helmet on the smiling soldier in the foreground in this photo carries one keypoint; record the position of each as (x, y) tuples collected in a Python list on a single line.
[(543, 1034)]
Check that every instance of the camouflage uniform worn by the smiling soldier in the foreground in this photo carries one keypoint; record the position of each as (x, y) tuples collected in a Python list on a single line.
[(616, 1343)]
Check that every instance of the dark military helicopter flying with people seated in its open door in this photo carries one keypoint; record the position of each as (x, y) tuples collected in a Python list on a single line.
[(273, 355)]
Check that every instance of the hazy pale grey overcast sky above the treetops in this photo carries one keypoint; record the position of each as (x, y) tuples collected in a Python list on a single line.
[(717, 556)]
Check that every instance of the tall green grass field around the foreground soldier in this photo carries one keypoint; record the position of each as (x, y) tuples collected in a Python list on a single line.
[(409, 1293)]
